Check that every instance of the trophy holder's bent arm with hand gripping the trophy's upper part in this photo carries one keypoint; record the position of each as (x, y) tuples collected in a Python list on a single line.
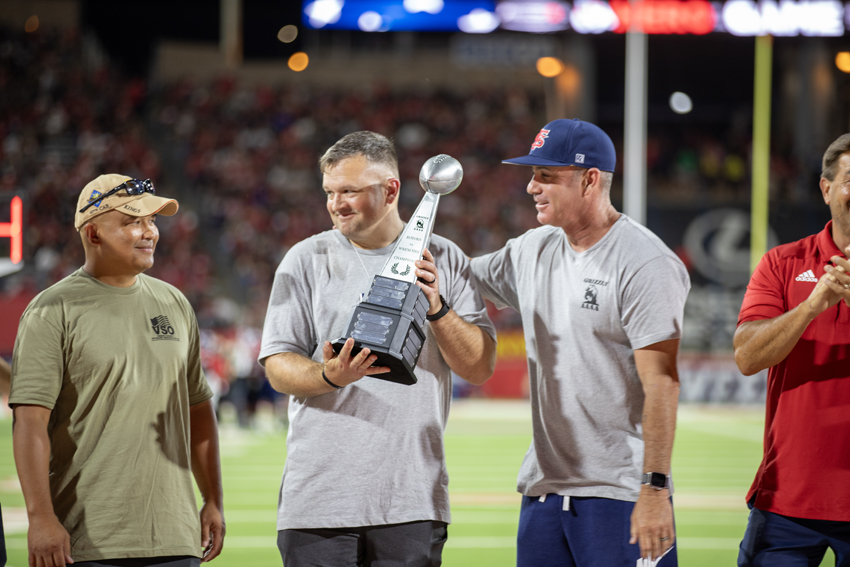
[(468, 349)]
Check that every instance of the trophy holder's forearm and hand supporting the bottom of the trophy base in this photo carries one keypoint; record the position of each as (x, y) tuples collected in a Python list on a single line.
[(299, 376)]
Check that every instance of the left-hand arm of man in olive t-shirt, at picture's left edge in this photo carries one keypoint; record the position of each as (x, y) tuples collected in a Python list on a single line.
[(48, 541)]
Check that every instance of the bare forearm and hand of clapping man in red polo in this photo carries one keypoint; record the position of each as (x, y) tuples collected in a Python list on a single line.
[(766, 342)]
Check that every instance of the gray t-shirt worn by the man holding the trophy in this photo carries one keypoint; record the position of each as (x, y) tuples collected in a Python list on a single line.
[(372, 452)]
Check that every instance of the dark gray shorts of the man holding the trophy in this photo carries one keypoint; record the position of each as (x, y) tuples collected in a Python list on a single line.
[(413, 544)]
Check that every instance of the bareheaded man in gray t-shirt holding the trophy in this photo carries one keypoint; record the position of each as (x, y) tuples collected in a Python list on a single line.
[(365, 479)]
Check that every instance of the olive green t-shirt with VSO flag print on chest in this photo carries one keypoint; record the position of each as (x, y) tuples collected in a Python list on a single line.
[(119, 368)]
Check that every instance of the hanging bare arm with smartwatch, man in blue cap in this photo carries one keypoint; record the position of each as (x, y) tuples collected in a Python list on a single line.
[(652, 519)]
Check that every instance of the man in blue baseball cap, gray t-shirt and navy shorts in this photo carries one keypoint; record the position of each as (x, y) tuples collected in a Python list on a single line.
[(601, 299)]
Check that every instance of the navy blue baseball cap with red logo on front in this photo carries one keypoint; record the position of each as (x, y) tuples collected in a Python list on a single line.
[(570, 142)]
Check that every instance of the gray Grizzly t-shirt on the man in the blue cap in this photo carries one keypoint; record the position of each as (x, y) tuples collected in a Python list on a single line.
[(583, 314)]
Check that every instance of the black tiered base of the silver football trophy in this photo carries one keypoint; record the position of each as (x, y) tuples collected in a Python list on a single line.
[(389, 322)]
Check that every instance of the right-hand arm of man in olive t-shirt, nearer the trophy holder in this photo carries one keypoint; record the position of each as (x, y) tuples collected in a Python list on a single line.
[(207, 471)]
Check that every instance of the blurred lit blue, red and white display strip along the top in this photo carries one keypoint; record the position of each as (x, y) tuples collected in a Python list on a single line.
[(814, 18)]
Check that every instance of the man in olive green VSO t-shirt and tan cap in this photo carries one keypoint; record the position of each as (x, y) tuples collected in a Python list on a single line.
[(112, 411)]
